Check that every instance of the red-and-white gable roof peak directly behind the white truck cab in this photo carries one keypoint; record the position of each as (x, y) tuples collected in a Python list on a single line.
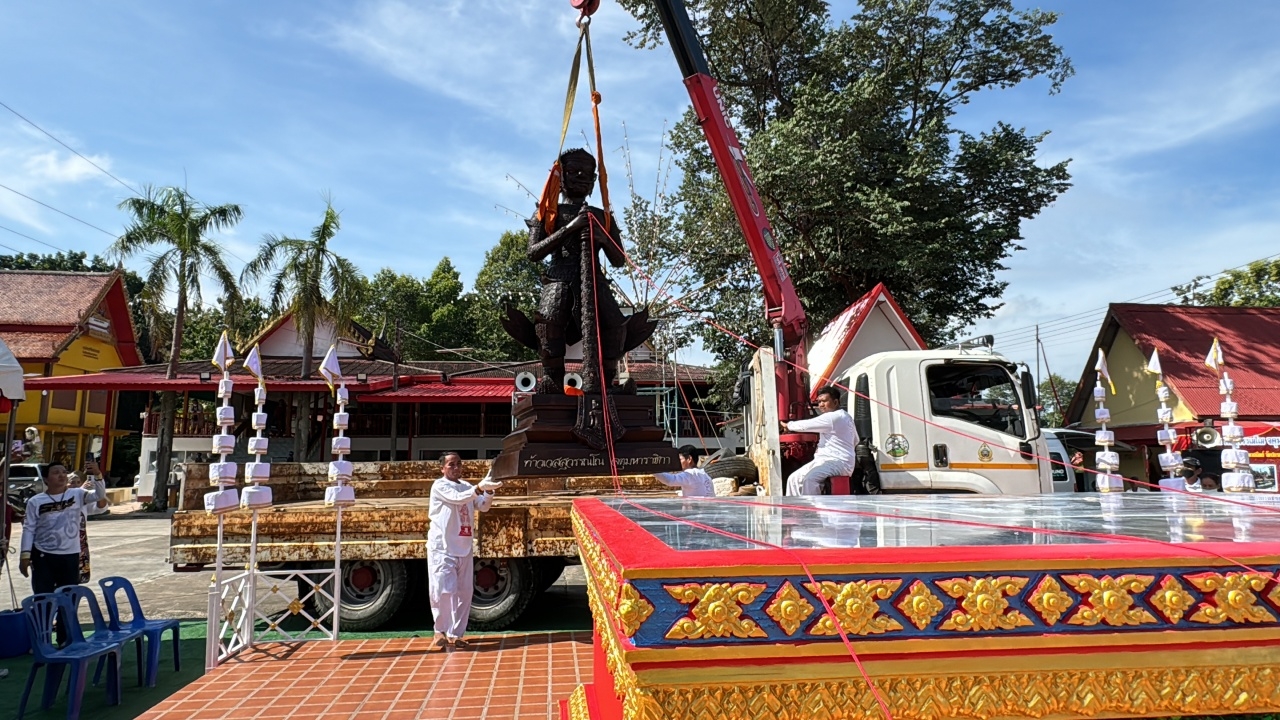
[(828, 356)]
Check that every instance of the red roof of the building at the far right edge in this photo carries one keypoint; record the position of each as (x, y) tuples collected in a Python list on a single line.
[(1183, 335)]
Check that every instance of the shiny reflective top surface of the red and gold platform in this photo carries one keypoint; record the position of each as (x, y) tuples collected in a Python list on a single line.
[(949, 521)]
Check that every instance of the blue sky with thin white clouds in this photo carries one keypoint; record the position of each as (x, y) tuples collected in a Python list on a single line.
[(413, 116)]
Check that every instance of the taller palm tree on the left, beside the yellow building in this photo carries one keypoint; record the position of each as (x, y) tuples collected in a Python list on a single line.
[(176, 227)]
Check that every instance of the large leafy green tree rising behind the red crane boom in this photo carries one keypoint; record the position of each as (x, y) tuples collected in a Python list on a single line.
[(851, 135)]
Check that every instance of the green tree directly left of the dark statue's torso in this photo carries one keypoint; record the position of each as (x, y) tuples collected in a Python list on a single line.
[(508, 276)]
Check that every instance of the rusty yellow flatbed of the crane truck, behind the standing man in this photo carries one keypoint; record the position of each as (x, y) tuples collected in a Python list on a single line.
[(523, 543)]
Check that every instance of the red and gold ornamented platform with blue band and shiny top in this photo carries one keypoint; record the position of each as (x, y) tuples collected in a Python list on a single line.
[(958, 607)]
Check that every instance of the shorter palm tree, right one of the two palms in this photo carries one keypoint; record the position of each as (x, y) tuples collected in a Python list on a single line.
[(310, 282)]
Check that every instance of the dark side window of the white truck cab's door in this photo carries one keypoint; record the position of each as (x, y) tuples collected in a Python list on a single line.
[(979, 394)]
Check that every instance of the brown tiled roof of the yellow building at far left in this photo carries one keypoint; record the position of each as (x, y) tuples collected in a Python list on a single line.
[(43, 312)]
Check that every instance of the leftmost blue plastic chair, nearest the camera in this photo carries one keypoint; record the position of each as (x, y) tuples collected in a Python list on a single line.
[(42, 612)]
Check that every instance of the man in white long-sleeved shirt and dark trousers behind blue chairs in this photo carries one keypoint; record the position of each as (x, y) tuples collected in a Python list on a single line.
[(51, 532)]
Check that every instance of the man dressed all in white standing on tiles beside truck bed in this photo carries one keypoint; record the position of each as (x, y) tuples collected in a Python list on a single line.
[(451, 571)]
